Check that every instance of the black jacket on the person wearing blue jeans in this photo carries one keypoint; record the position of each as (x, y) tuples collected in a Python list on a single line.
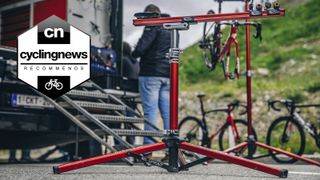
[(152, 48)]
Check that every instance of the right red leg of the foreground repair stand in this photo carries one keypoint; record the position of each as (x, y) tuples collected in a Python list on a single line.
[(235, 160)]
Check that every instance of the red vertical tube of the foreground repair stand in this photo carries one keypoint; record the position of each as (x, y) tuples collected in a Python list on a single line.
[(174, 94)]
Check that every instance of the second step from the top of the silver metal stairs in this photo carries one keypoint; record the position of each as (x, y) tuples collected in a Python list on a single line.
[(96, 105)]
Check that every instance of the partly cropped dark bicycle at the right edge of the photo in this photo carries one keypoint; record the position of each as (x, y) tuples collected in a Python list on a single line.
[(287, 132)]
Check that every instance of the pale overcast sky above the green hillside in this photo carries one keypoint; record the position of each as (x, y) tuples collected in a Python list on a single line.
[(174, 8)]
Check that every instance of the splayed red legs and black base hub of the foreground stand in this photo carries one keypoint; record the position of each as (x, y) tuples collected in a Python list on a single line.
[(173, 165)]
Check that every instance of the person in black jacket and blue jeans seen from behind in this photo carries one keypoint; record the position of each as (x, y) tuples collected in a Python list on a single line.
[(154, 81)]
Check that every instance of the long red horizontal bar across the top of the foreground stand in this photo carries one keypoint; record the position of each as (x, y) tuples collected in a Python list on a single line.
[(202, 18)]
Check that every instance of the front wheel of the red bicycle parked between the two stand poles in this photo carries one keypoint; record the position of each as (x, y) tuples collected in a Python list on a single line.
[(226, 136)]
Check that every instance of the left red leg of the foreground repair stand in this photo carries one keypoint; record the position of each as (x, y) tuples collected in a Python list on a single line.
[(106, 158)]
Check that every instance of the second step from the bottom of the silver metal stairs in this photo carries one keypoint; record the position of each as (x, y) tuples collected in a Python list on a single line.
[(110, 118)]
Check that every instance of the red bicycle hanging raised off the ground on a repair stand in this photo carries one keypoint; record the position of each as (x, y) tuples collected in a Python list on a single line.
[(212, 50)]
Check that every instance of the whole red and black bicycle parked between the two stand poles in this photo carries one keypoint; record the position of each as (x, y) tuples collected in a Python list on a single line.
[(231, 132)]
